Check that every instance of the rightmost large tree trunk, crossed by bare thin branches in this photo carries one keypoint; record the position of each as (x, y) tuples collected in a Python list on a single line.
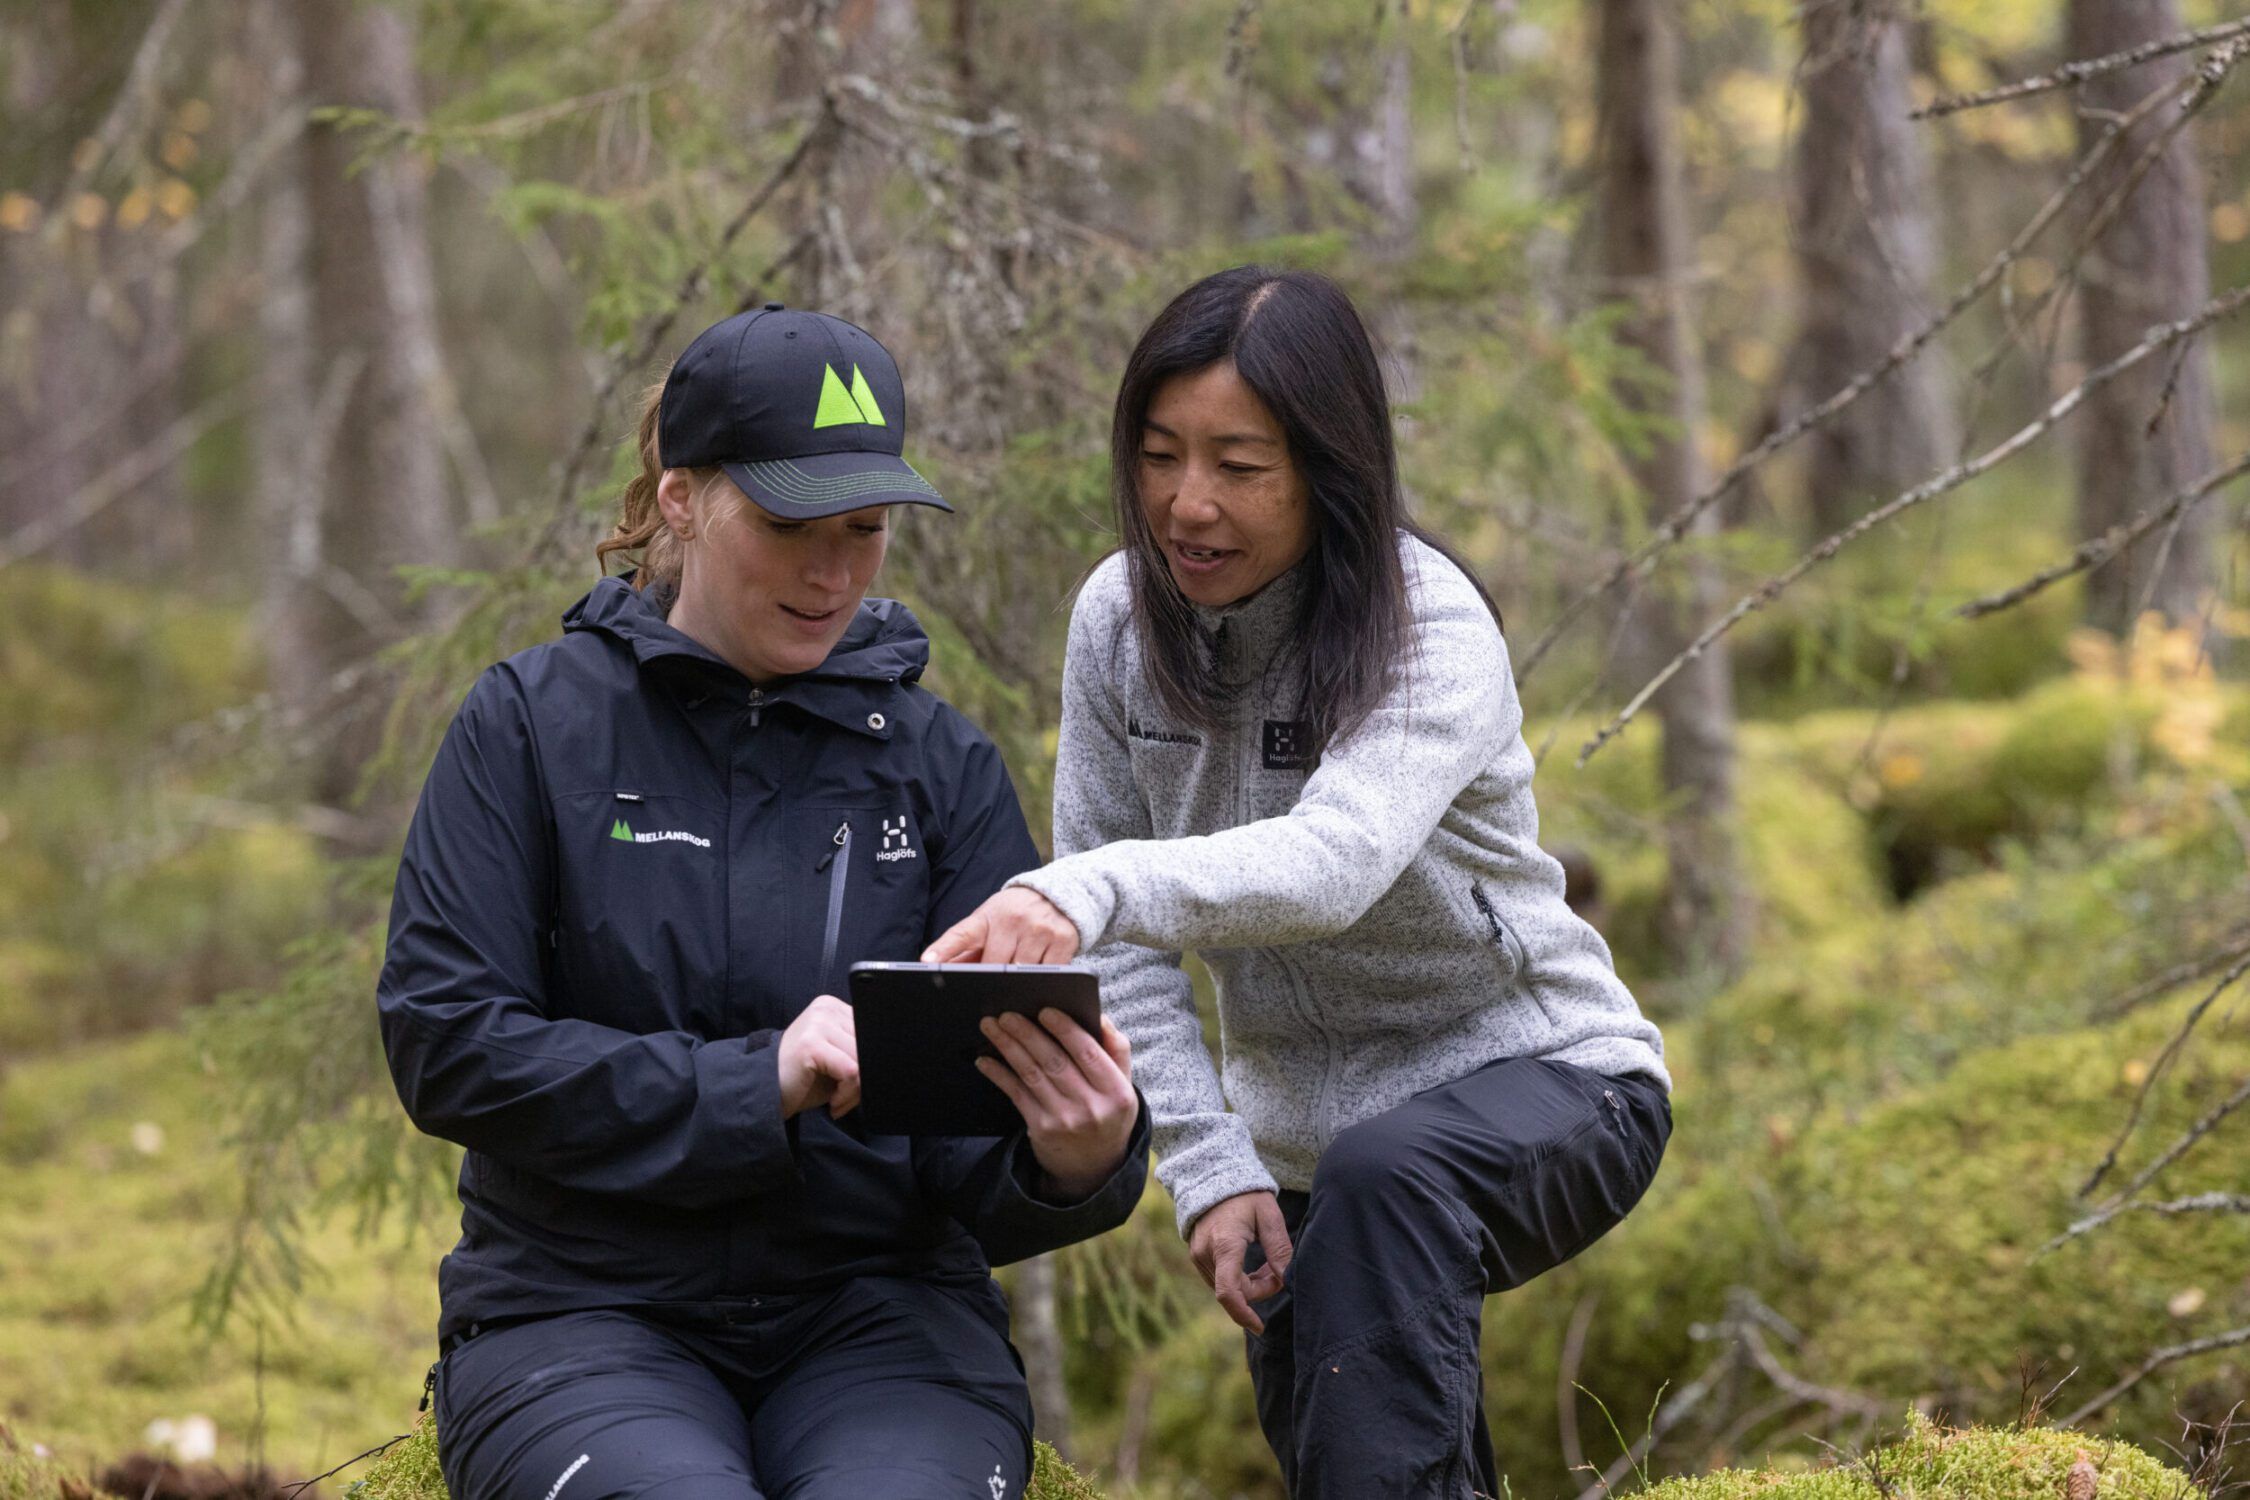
[(2150, 266)]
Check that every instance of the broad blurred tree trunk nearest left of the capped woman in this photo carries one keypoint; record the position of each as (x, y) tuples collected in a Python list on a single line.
[(352, 462)]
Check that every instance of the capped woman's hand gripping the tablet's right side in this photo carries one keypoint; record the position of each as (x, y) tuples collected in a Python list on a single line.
[(1074, 1094)]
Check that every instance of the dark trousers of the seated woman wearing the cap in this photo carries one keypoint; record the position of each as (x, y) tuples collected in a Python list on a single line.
[(899, 1389)]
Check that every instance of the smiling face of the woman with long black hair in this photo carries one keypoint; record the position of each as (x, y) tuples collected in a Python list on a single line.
[(1225, 500)]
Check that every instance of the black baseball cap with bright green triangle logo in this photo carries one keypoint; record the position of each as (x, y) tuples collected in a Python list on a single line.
[(802, 410)]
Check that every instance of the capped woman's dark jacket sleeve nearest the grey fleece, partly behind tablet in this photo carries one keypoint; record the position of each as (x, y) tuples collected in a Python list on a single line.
[(993, 1184)]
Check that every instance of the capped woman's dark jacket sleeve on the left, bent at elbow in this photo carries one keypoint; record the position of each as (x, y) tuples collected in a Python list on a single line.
[(660, 1117)]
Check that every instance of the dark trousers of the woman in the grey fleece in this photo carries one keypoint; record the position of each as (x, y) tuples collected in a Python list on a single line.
[(1367, 1375)]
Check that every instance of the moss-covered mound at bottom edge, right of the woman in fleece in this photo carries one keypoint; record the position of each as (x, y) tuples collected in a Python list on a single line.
[(1959, 1465)]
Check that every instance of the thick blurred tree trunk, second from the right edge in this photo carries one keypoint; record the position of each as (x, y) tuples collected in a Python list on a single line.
[(1864, 255)]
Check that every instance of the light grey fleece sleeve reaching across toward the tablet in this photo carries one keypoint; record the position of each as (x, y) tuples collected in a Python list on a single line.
[(1365, 813)]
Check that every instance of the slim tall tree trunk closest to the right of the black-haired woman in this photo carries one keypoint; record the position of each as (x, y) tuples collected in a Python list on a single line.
[(1644, 251)]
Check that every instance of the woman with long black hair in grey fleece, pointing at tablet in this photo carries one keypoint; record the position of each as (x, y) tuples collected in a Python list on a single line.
[(1293, 746)]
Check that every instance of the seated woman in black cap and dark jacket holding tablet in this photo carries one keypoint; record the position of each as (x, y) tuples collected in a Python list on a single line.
[(642, 865)]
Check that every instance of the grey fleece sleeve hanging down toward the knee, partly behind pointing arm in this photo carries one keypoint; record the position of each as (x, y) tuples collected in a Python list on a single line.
[(1205, 1150)]
